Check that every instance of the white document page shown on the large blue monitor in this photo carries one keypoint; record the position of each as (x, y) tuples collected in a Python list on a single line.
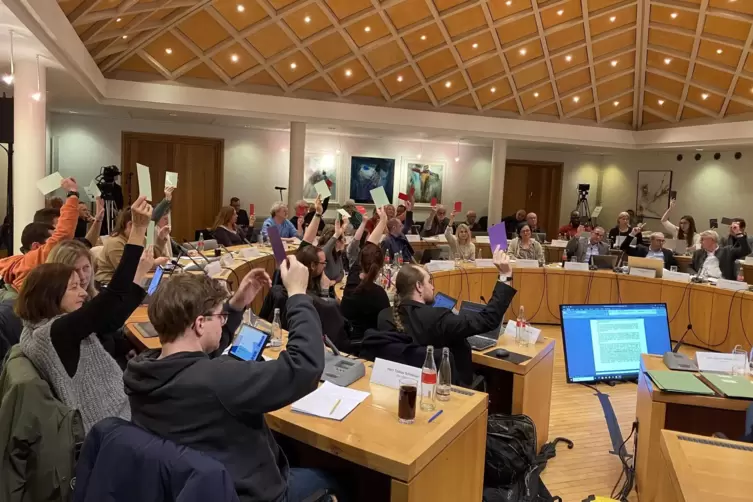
[(617, 344)]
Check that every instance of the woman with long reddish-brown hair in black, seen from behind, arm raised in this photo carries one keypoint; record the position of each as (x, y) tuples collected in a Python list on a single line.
[(363, 298)]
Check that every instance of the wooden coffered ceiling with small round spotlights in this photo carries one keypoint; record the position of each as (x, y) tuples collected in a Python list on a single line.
[(569, 60)]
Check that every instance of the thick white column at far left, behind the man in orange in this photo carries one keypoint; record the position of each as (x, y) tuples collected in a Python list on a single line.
[(29, 144)]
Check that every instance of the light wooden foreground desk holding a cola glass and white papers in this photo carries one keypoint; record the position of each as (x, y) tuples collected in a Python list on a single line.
[(440, 461)]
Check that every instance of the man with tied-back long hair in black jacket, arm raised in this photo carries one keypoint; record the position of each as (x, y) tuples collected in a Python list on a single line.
[(412, 313)]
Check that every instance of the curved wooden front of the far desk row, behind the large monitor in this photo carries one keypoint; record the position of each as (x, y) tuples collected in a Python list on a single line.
[(721, 318)]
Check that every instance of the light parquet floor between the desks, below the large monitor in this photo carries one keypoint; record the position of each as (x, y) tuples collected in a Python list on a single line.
[(589, 468)]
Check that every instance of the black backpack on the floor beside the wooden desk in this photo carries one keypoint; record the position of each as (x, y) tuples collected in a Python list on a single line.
[(513, 468)]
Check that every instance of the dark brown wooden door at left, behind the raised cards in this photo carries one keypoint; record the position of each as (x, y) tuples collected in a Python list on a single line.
[(198, 162)]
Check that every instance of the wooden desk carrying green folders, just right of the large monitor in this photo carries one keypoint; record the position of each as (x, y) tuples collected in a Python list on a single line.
[(657, 410)]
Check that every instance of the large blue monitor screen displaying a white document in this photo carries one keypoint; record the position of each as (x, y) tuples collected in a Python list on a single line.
[(605, 342)]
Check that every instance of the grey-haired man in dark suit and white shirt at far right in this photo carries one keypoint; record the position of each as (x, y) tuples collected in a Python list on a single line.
[(716, 261)]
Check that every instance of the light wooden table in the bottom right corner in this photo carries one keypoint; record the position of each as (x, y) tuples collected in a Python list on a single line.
[(694, 472)]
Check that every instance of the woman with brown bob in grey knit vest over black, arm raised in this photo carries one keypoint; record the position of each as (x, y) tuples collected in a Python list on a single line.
[(60, 327)]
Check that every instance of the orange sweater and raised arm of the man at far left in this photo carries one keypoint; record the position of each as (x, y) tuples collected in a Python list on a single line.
[(14, 269)]
